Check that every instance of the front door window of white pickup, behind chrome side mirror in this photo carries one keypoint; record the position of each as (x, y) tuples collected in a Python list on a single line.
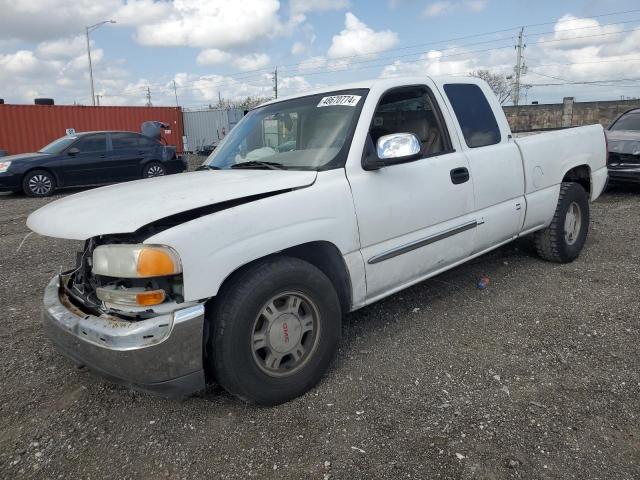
[(410, 110)]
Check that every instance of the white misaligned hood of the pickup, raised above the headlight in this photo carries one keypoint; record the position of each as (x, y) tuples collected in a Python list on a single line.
[(126, 207)]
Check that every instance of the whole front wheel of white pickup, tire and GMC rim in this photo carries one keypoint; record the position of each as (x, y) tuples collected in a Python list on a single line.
[(276, 327)]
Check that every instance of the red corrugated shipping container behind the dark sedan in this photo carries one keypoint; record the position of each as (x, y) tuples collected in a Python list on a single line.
[(28, 128)]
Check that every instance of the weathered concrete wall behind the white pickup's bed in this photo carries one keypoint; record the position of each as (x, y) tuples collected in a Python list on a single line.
[(566, 114)]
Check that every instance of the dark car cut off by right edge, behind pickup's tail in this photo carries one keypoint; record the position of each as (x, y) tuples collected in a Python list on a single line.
[(623, 139)]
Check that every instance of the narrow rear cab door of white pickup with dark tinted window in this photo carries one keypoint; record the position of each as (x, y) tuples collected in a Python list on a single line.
[(494, 160)]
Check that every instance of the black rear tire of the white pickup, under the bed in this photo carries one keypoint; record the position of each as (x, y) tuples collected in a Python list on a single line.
[(554, 243)]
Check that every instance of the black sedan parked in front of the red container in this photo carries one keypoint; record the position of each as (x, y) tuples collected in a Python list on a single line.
[(88, 158)]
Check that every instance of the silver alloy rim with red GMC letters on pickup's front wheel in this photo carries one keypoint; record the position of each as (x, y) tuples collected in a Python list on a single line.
[(285, 334)]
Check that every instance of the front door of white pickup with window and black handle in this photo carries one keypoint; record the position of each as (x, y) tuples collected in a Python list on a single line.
[(414, 218)]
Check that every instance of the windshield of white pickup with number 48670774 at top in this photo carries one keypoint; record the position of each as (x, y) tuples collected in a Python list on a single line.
[(306, 133)]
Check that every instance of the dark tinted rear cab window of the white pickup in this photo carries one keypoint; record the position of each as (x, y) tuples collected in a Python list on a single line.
[(476, 118)]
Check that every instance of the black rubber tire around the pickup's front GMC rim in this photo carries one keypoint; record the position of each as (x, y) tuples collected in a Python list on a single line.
[(232, 355)]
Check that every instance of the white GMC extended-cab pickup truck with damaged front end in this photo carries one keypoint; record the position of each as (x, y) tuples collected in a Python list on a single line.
[(313, 206)]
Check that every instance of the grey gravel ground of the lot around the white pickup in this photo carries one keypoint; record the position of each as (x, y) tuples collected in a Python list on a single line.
[(538, 376)]
